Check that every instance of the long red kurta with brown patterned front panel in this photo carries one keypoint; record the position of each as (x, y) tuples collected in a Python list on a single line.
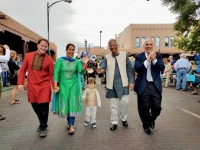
[(40, 77)]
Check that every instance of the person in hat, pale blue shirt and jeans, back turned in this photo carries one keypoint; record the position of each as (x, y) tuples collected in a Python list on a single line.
[(182, 66)]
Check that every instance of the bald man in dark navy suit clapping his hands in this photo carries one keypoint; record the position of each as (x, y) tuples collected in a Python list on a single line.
[(148, 86)]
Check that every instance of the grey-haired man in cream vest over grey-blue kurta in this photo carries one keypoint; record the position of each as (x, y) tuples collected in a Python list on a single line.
[(119, 77)]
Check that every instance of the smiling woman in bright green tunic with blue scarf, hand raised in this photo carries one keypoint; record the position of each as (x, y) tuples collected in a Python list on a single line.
[(67, 86)]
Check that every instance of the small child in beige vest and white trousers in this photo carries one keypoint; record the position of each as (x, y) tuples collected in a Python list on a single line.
[(92, 98)]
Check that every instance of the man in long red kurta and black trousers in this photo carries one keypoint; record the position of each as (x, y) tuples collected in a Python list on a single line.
[(40, 78)]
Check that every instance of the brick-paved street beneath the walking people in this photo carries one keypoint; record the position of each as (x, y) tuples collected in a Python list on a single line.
[(175, 129)]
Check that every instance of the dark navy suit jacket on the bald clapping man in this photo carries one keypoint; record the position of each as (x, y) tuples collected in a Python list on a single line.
[(141, 81)]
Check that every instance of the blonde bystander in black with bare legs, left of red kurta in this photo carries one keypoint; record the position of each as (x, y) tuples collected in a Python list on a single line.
[(13, 76)]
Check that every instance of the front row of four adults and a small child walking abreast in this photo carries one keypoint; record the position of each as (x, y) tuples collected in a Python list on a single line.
[(65, 78)]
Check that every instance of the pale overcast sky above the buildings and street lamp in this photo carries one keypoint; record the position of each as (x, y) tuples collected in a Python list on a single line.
[(84, 19)]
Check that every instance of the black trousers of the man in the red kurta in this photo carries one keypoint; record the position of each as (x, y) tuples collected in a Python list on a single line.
[(42, 111)]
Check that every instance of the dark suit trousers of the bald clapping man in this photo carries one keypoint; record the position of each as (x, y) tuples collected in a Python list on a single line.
[(149, 104)]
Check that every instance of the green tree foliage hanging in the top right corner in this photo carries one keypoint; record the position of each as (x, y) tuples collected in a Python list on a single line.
[(187, 24)]
